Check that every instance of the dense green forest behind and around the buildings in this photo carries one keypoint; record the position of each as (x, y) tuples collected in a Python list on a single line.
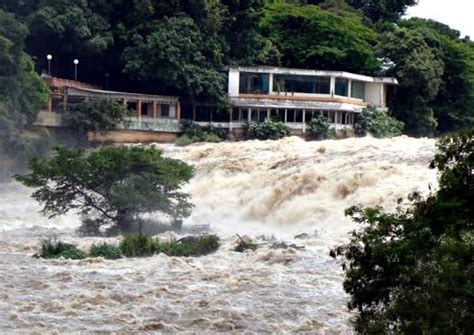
[(181, 47)]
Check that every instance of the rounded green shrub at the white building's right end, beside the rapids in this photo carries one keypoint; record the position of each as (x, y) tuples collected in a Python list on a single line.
[(378, 123)]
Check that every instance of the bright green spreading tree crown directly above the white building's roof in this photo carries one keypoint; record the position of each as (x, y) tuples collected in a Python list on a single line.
[(309, 37)]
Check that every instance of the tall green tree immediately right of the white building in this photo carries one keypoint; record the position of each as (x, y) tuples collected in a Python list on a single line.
[(419, 71)]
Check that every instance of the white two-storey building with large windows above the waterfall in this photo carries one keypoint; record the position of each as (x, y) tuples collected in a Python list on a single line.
[(294, 96)]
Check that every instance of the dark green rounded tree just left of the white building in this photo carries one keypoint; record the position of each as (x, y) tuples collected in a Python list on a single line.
[(173, 52)]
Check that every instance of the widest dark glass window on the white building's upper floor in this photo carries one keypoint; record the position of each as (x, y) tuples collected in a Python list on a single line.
[(301, 84)]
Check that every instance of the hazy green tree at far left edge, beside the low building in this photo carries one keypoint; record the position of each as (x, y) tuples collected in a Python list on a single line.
[(22, 92)]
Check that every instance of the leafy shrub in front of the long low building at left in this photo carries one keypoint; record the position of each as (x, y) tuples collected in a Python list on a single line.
[(94, 115)]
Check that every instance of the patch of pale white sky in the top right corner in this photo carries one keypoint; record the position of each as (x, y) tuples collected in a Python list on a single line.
[(458, 14)]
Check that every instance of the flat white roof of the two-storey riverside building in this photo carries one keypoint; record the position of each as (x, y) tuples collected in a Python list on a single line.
[(306, 72)]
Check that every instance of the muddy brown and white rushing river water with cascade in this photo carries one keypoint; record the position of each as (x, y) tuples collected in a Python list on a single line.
[(277, 188)]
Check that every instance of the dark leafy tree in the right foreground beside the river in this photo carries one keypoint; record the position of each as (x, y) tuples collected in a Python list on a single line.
[(411, 271)]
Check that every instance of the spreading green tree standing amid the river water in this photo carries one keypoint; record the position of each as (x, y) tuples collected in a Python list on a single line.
[(112, 185)]
